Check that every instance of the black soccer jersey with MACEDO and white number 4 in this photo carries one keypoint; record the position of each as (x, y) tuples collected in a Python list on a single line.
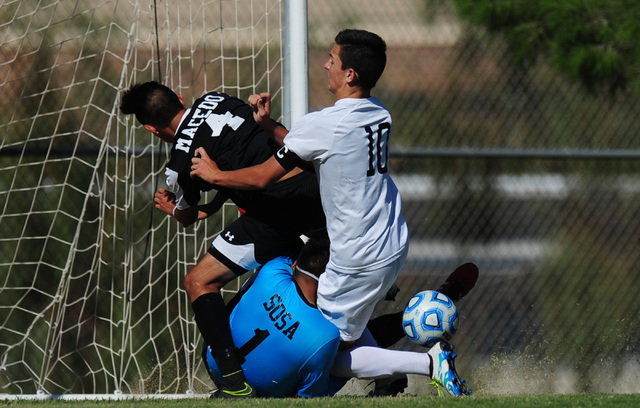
[(224, 126)]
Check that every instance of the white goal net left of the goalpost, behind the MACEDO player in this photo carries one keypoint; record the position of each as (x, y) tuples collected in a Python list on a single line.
[(91, 295)]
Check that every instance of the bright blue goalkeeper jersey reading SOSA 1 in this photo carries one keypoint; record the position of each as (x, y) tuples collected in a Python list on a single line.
[(289, 346)]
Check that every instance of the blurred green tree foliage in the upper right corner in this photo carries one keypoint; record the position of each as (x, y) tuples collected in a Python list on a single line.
[(592, 41)]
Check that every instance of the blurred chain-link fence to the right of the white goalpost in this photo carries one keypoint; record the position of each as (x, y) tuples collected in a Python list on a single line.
[(526, 174)]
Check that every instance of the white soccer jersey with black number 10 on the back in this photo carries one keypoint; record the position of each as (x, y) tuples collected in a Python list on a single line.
[(349, 146)]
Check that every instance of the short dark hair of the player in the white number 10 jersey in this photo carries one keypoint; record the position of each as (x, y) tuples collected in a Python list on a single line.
[(365, 52)]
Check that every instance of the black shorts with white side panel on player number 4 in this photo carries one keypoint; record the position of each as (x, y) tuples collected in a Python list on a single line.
[(248, 243)]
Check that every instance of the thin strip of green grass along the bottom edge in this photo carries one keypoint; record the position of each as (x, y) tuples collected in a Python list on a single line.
[(514, 401)]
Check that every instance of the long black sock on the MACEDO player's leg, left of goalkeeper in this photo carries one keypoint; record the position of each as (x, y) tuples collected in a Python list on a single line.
[(213, 322)]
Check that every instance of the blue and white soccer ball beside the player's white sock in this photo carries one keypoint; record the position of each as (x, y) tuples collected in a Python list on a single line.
[(430, 317)]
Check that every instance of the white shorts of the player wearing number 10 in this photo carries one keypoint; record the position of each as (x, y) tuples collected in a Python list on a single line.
[(348, 299)]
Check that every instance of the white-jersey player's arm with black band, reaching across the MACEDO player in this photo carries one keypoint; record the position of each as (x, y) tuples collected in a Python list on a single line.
[(249, 178)]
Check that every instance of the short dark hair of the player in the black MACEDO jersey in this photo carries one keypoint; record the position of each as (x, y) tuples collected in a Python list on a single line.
[(152, 103)]
